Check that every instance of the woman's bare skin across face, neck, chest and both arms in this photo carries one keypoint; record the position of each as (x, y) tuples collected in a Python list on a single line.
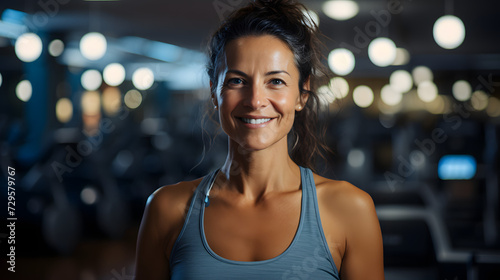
[(258, 189)]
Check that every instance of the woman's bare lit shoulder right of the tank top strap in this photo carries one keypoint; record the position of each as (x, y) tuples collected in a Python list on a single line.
[(342, 195)]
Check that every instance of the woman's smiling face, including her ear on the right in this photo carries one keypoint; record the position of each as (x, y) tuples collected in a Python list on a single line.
[(260, 91)]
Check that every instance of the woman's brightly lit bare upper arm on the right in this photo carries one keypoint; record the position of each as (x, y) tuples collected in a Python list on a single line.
[(363, 258)]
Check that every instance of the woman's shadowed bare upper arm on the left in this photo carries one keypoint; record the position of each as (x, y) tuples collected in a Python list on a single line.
[(151, 261)]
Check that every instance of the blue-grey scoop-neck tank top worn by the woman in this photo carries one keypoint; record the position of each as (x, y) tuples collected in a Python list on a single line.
[(307, 256)]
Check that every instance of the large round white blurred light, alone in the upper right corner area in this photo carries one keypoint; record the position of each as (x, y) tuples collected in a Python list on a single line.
[(449, 32)]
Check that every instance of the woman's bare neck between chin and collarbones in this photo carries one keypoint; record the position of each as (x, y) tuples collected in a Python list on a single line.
[(257, 173)]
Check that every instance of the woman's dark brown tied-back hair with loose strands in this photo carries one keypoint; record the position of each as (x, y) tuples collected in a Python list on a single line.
[(287, 21)]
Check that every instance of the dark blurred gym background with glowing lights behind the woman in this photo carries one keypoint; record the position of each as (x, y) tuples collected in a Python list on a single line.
[(102, 102)]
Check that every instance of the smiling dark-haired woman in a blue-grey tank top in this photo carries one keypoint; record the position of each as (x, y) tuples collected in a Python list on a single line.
[(264, 213)]
